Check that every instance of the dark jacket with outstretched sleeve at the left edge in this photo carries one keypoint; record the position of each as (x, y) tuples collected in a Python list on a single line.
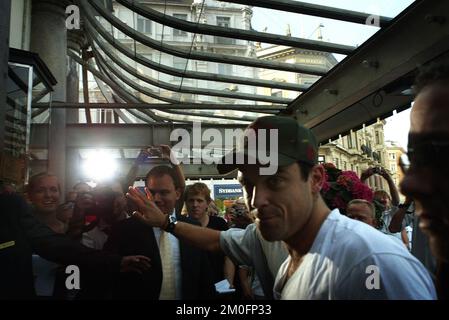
[(21, 234)]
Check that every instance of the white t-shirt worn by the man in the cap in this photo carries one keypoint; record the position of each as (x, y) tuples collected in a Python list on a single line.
[(346, 259)]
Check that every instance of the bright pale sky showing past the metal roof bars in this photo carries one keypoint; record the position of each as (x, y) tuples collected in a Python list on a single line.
[(303, 26)]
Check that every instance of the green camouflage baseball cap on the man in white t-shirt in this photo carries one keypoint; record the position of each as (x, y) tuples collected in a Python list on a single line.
[(294, 143)]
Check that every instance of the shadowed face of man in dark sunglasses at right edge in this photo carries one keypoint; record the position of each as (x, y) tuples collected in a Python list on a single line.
[(427, 180)]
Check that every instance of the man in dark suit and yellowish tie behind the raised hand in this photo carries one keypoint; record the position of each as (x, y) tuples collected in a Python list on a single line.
[(192, 274)]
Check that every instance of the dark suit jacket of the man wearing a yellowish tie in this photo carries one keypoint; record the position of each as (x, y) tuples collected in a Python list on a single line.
[(133, 236)]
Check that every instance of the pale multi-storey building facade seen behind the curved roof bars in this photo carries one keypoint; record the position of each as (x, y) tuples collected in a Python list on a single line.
[(212, 13)]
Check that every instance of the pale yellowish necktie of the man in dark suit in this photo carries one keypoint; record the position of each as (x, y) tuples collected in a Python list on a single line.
[(168, 290)]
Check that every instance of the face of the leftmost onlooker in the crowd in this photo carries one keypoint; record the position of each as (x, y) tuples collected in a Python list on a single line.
[(45, 195)]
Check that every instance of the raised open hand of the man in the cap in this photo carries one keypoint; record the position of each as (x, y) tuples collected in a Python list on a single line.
[(147, 211)]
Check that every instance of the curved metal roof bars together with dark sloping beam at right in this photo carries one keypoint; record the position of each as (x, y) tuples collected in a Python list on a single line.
[(353, 93)]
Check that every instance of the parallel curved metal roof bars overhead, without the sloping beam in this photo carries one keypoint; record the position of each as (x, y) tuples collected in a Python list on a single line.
[(91, 24)]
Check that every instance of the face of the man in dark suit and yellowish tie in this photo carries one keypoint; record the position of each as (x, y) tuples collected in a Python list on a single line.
[(164, 192)]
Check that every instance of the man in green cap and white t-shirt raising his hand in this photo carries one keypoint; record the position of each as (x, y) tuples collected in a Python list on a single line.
[(330, 255)]
